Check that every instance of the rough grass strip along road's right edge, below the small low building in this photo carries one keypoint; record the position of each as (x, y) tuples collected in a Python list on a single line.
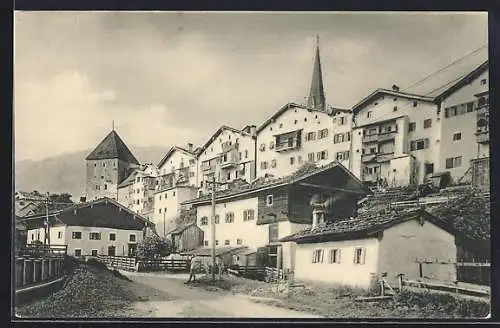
[(336, 301)]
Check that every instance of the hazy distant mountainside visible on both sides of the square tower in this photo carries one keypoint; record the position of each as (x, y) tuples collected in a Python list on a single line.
[(66, 172)]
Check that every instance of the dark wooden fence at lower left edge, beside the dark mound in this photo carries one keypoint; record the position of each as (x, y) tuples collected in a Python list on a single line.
[(34, 271)]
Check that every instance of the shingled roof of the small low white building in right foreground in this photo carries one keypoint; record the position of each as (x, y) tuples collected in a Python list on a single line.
[(364, 226)]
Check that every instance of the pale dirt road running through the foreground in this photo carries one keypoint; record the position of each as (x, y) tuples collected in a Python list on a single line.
[(182, 300)]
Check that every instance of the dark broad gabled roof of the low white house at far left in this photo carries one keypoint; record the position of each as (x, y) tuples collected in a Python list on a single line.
[(101, 213)]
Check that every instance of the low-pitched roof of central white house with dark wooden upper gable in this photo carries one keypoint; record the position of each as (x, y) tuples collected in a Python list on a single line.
[(265, 184)]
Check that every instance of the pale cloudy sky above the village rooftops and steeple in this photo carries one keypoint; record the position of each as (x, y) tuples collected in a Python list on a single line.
[(169, 78)]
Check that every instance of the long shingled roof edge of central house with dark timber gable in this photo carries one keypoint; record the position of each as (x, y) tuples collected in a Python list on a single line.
[(265, 183)]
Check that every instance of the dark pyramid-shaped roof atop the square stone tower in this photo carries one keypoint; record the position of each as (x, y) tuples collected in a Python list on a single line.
[(112, 147)]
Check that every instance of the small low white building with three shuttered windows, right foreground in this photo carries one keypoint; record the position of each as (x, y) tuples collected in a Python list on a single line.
[(355, 251)]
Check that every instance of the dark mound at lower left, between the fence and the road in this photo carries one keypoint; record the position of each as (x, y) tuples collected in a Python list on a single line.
[(91, 291)]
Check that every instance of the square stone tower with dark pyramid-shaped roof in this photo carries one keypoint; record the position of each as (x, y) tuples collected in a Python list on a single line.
[(108, 165)]
